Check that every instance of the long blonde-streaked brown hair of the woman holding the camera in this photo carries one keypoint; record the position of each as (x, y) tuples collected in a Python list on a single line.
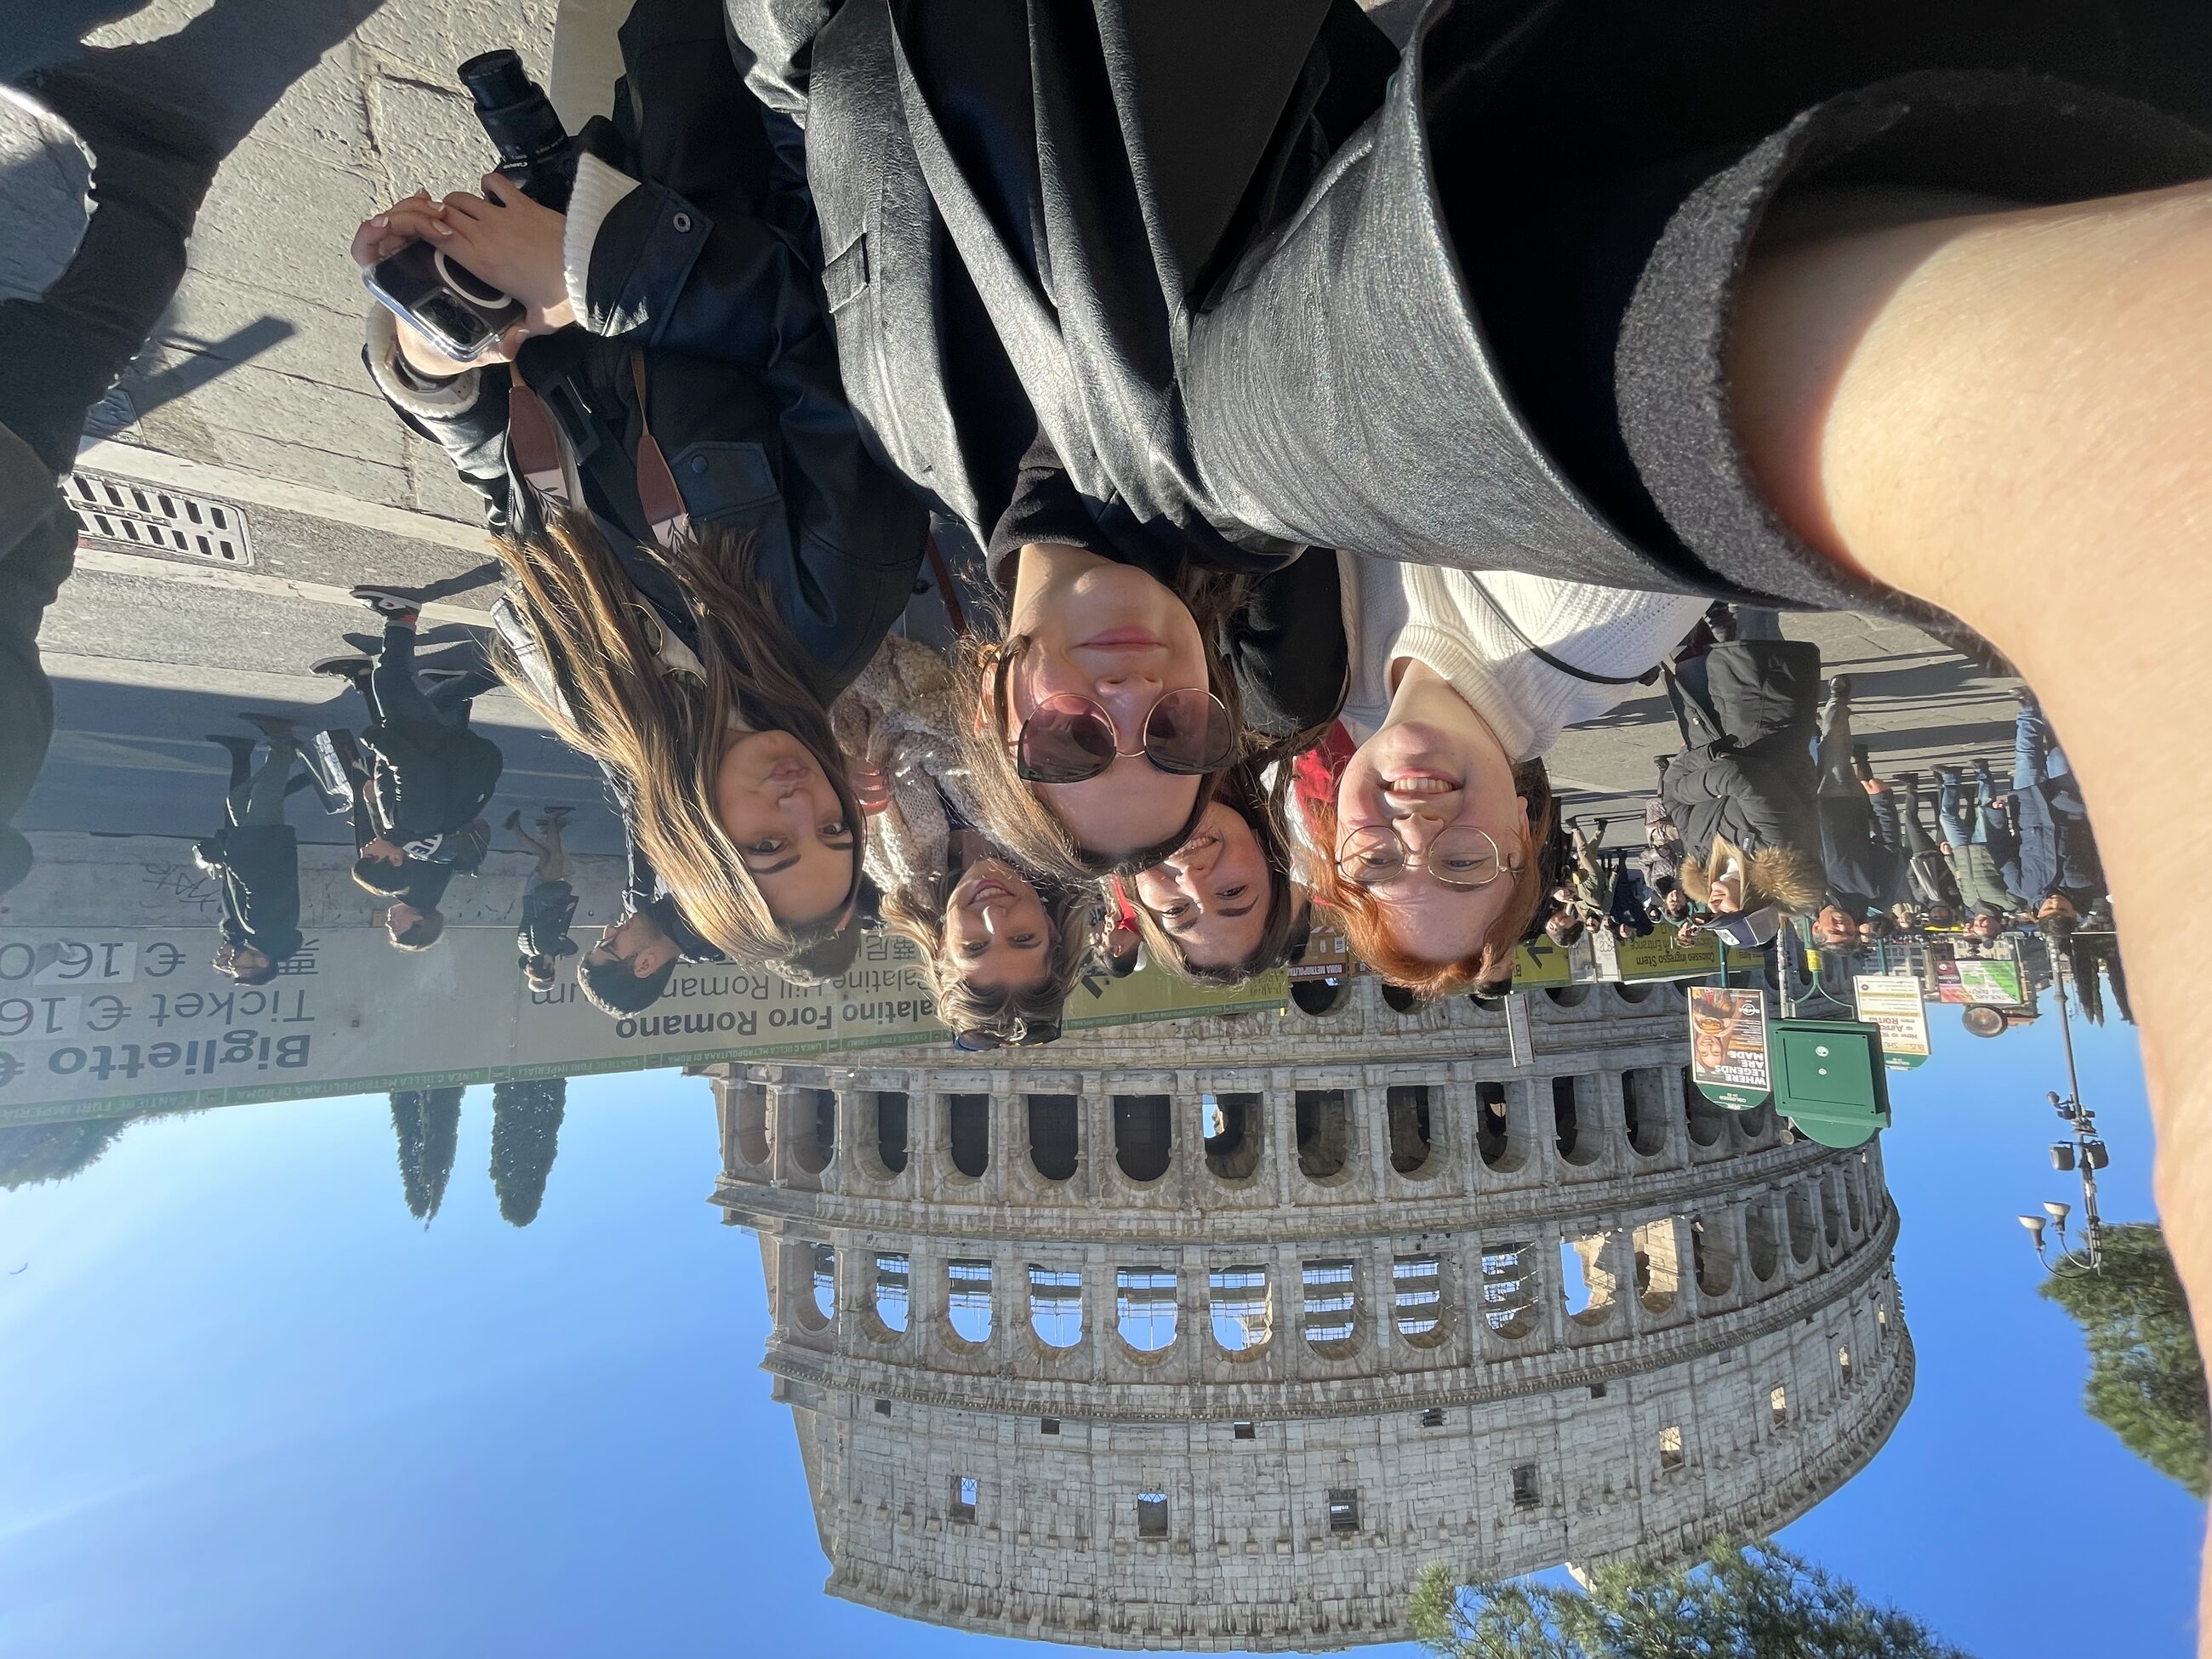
[(660, 731)]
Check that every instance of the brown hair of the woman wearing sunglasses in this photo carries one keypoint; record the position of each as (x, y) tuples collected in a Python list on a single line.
[(1012, 811)]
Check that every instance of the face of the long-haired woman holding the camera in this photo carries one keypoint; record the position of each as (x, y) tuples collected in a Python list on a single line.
[(789, 826)]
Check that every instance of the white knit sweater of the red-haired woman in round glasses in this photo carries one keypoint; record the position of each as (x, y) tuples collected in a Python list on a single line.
[(1439, 618)]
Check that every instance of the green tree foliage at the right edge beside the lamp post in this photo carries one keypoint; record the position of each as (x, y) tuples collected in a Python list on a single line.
[(2147, 1381)]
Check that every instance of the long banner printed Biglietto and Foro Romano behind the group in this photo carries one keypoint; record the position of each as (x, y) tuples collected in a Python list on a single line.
[(109, 1021)]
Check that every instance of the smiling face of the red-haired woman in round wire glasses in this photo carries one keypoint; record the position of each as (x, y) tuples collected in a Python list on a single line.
[(1430, 769)]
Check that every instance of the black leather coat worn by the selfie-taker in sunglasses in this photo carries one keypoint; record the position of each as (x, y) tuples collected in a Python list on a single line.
[(1269, 289)]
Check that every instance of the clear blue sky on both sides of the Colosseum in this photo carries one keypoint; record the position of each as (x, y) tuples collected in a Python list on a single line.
[(251, 1408)]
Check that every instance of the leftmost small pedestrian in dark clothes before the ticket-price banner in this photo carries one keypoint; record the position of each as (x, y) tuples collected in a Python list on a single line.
[(255, 857)]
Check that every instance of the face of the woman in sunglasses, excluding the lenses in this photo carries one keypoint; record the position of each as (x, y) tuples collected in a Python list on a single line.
[(1116, 636)]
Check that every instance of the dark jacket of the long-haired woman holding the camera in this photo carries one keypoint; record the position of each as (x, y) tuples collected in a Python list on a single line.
[(713, 269)]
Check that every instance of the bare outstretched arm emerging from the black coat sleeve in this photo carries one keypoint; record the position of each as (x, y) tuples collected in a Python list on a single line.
[(2012, 417)]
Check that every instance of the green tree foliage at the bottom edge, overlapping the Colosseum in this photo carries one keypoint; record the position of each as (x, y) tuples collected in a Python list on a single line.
[(1735, 1603)]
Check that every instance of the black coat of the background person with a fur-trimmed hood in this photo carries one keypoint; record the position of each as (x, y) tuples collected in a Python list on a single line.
[(1746, 769)]
